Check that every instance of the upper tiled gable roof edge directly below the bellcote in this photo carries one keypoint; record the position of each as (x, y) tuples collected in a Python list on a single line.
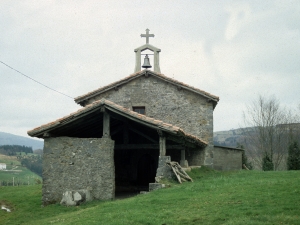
[(91, 94)]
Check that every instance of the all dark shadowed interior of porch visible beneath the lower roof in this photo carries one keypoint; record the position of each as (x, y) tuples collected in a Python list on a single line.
[(137, 148)]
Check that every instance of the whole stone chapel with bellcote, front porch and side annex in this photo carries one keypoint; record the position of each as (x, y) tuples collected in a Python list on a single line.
[(125, 132)]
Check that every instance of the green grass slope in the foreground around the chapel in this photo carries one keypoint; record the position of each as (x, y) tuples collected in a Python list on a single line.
[(243, 197)]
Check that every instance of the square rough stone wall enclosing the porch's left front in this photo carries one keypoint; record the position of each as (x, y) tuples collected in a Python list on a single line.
[(76, 164)]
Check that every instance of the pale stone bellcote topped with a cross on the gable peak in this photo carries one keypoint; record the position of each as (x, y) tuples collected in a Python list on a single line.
[(138, 53)]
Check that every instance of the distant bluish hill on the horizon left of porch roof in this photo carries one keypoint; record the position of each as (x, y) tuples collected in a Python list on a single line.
[(11, 139)]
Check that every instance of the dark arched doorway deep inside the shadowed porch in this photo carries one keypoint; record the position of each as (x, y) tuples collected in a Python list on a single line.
[(146, 170)]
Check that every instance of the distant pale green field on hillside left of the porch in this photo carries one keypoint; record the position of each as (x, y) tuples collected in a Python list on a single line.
[(16, 171)]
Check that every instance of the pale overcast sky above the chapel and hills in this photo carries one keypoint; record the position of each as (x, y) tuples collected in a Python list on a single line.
[(236, 50)]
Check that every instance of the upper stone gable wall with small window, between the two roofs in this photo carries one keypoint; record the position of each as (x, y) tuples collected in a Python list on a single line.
[(164, 101)]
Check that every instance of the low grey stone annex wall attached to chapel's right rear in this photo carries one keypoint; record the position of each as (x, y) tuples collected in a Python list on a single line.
[(227, 158)]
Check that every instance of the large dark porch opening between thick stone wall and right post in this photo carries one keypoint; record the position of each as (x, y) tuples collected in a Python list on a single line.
[(136, 156)]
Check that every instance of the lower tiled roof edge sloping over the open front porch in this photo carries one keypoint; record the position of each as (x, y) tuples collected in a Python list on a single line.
[(158, 124)]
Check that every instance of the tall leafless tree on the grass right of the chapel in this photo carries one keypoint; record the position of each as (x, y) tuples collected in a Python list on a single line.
[(268, 131)]
